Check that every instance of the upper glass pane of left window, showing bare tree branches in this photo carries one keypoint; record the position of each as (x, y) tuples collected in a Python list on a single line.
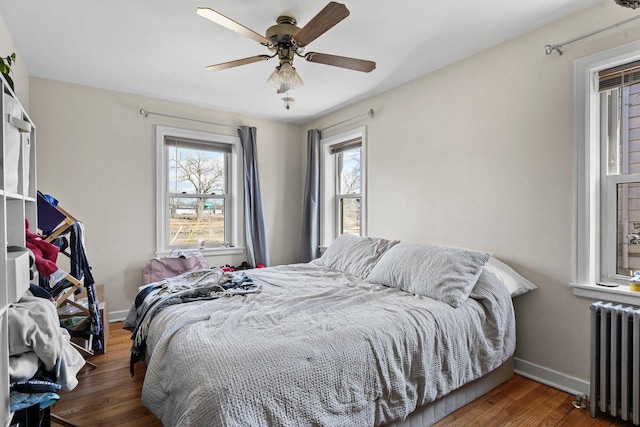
[(195, 171)]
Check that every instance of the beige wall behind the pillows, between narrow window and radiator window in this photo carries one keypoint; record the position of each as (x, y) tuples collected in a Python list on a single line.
[(480, 155)]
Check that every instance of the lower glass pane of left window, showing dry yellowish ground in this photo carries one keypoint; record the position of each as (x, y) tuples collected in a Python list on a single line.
[(195, 218)]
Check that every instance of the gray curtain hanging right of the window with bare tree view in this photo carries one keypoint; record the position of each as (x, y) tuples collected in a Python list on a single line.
[(255, 233)]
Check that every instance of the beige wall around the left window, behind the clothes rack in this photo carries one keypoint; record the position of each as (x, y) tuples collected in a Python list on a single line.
[(96, 154)]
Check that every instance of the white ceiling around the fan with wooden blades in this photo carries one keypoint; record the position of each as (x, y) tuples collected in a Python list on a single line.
[(160, 48)]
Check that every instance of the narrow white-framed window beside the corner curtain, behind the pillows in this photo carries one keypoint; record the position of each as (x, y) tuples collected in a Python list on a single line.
[(342, 203)]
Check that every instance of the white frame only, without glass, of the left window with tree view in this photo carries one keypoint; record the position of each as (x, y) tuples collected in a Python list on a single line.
[(234, 210)]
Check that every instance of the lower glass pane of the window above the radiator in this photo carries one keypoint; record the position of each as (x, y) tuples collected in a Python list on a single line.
[(628, 213)]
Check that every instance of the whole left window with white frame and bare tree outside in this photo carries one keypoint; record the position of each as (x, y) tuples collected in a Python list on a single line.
[(197, 191)]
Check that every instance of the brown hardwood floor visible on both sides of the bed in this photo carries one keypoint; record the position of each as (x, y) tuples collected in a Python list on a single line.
[(109, 396)]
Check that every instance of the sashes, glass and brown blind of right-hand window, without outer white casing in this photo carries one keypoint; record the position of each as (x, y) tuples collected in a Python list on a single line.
[(619, 89)]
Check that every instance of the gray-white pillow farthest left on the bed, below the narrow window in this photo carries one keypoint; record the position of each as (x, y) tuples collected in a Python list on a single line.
[(354, 254)]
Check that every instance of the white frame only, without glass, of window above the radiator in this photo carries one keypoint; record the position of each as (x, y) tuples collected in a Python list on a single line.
[(593, 220)]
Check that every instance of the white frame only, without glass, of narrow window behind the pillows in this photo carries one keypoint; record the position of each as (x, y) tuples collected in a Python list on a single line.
[(329, 198)]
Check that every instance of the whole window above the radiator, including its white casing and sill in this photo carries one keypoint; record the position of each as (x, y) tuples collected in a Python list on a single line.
[(607, 147)]
